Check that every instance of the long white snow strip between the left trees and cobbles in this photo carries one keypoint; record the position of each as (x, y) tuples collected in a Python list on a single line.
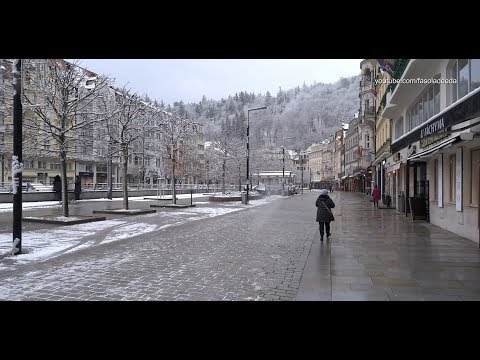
[(41, 244)]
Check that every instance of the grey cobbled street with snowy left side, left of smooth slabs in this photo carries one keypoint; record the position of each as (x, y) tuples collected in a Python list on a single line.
[(211, 252)]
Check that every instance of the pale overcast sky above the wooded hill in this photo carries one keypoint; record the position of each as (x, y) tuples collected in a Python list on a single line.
[(189, 79)]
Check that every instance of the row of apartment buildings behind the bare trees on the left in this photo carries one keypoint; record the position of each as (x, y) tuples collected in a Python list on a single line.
[(90, 157)]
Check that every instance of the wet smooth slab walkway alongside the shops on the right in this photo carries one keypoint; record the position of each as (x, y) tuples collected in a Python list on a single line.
[(379, 254)]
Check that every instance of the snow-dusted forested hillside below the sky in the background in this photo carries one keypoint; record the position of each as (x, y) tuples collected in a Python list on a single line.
[(308, 113)]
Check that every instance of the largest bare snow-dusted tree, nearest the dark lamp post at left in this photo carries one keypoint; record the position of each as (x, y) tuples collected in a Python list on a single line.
[(61, 104)]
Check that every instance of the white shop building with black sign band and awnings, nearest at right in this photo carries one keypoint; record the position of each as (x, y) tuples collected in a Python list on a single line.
[(435, 143)]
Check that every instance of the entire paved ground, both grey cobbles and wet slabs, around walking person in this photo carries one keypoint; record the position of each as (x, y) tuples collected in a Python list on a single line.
[(271, 251)]
